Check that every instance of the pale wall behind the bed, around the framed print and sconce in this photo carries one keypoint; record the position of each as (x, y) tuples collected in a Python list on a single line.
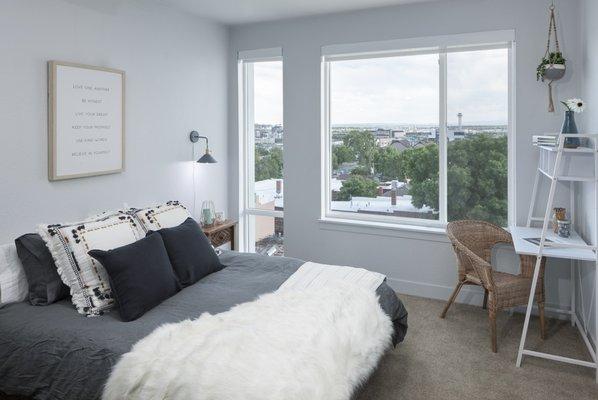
[(176, 82)]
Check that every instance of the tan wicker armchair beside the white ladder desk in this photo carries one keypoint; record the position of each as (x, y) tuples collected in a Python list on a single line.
[(473, 242)]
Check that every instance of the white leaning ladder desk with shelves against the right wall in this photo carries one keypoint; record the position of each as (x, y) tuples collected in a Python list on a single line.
[(556, 164)]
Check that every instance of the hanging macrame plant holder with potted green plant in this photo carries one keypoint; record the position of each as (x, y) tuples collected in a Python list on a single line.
[(552, 66)]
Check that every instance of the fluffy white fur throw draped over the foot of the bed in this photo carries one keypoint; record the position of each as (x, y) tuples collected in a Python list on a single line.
[(313, 344)]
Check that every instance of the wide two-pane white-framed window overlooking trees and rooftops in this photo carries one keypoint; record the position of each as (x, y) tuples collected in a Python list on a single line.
[(417, 136)]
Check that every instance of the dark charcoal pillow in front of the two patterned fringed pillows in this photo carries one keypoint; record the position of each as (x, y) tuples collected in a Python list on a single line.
[(140, 274)]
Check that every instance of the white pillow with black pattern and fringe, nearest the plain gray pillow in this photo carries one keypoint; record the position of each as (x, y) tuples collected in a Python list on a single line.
[(85, 276)]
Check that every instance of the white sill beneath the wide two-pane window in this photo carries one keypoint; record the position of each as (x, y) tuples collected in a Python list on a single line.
[(414, 232)]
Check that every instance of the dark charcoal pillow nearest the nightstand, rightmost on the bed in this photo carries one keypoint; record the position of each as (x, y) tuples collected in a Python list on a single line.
[(190, 251)]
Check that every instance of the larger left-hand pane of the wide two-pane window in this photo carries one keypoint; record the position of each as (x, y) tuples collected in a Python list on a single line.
[(384, 123)]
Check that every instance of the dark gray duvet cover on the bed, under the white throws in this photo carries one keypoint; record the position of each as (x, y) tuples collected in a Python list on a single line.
[(52, 352)]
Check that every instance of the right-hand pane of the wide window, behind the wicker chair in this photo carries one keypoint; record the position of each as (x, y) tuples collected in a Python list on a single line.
[(477, 135)]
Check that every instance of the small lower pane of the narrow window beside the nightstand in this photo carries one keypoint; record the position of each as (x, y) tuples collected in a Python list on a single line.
[(268, 235)]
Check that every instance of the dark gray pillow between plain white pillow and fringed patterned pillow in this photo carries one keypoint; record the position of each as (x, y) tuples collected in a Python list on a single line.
[(45, 285)]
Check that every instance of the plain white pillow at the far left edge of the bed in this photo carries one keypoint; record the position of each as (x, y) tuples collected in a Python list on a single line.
[(13, 282)]
